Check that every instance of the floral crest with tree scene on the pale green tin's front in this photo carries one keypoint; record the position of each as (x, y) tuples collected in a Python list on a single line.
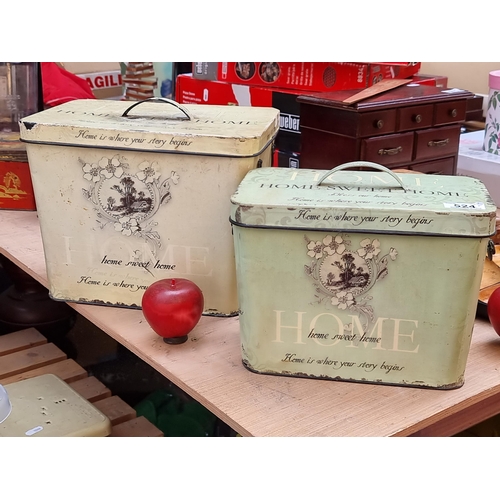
[(343, 277)]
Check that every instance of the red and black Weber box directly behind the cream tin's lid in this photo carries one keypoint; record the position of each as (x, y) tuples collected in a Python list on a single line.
[(190, 90)]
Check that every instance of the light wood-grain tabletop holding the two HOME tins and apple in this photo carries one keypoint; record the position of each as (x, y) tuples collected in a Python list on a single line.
[(208, 367)]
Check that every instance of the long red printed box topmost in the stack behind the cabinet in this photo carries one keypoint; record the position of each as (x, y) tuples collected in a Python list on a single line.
[(309, 76)]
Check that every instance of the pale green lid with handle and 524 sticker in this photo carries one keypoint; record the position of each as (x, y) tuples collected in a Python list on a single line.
[(379, 201)]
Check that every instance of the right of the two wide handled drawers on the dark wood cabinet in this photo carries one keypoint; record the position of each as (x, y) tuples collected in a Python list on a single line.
[(436, 142)]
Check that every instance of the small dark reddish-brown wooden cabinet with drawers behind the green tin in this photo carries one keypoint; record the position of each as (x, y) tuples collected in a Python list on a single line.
[(416, 127)]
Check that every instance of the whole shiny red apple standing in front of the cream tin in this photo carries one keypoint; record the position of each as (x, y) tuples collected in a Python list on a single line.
[(173, 307)]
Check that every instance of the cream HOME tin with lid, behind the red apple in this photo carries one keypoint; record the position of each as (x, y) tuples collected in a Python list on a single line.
[(128, 194)]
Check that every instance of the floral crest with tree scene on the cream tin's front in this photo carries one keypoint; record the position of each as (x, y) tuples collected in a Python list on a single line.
[(128, 201)]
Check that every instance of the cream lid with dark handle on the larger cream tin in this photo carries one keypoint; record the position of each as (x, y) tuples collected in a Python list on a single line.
[(155, 125)]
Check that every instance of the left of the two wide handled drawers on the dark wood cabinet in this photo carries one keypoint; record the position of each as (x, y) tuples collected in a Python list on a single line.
[(388, 150)]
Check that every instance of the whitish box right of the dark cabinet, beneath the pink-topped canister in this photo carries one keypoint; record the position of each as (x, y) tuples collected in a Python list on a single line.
[(473, 161)]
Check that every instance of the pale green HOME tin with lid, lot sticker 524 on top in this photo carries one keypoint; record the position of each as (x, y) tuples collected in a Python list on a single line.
[(364, 276)]
